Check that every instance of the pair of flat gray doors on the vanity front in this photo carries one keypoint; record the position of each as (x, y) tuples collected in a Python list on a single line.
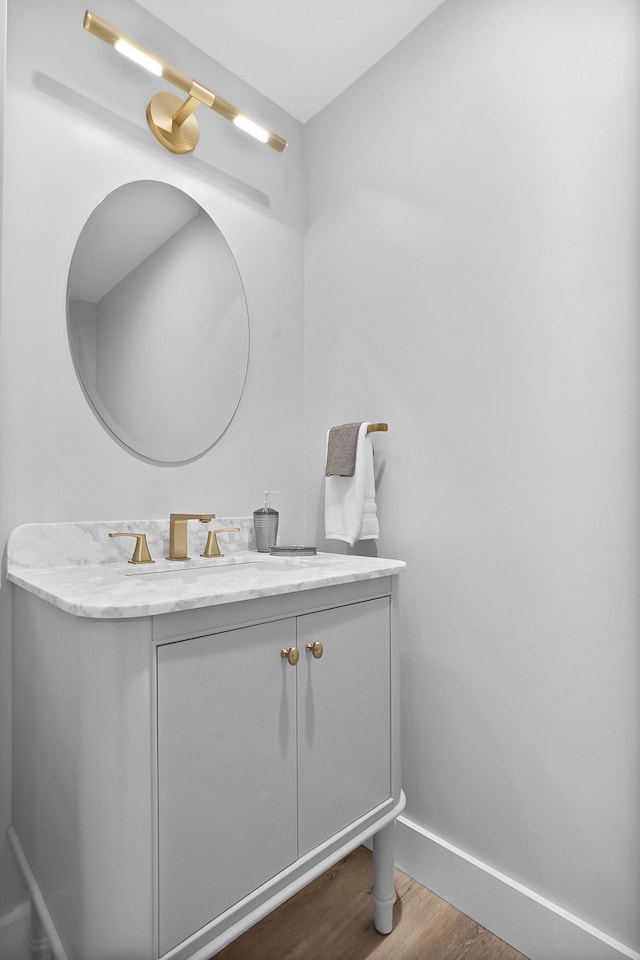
[(259, 760)]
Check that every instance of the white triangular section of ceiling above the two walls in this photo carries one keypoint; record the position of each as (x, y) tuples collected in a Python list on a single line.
[(299, 53)]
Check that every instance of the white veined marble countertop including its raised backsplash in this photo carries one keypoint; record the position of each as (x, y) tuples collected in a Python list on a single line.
[(50, 560)]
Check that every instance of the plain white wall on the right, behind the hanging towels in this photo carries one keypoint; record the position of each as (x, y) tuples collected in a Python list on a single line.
[(471, 277)]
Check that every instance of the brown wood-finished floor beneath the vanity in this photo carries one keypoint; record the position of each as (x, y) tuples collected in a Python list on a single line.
[(332, 919)]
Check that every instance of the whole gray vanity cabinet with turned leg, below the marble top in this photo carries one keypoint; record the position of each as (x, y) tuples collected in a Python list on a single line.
[(176, 778)]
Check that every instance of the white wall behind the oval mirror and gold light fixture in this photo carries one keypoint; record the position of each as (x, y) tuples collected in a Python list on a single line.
[(76, 130)]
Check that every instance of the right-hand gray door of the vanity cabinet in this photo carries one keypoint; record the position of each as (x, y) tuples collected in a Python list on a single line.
[(344, 718)]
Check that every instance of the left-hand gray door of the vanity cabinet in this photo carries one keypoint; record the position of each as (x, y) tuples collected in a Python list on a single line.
[(226, 771)]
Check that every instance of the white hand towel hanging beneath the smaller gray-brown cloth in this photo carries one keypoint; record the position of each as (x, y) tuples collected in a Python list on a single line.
[(350, 511)]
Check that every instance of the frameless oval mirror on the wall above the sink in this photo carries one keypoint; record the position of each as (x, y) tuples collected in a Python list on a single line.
[(157, 322)]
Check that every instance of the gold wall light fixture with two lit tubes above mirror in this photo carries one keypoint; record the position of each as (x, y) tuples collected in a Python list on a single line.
[(170, 118)]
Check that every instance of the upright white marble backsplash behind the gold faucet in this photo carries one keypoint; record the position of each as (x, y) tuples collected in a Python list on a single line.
[(47, 545)]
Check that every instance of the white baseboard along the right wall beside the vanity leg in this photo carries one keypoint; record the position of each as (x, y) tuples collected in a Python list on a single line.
[(529, 922)]
